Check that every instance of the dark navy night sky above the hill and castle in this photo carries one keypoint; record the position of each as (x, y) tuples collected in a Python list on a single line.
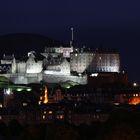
[(113, 23)]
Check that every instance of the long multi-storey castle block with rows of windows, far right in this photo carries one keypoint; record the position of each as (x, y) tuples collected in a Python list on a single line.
[(95, 62)]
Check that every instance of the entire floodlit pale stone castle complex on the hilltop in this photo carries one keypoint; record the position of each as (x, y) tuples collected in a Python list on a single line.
[(60, 64)]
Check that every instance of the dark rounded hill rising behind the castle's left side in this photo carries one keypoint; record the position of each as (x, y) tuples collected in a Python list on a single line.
[(21, 43)]
